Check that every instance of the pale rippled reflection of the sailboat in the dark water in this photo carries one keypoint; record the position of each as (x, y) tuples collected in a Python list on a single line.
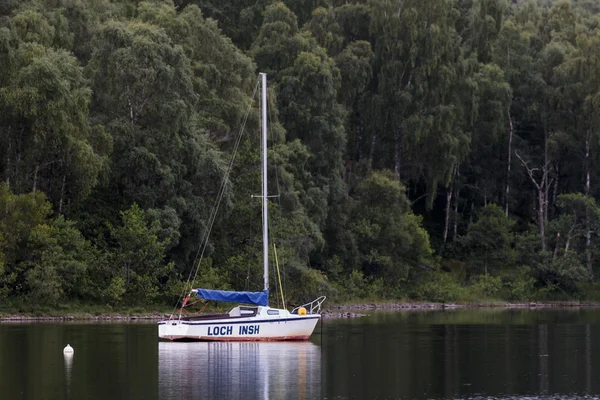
[(239, 370)]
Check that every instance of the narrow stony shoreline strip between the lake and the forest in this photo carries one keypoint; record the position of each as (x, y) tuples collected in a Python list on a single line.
[(332, 311)]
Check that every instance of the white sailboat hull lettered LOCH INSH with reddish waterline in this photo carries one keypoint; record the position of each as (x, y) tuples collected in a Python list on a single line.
[(260, 327)]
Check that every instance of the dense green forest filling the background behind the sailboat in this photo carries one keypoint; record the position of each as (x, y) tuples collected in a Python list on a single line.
[(443, 150)]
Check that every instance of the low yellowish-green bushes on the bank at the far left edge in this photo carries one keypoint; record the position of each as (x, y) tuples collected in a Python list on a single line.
[(43, 259)]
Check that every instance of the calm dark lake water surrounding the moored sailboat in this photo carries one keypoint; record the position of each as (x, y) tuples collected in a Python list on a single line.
[(460, 354)]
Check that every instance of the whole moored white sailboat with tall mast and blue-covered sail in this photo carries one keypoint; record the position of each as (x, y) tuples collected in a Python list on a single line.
[(253, 319)]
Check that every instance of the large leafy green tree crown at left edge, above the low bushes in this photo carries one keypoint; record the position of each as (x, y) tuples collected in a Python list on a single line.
[(46, 127)]
